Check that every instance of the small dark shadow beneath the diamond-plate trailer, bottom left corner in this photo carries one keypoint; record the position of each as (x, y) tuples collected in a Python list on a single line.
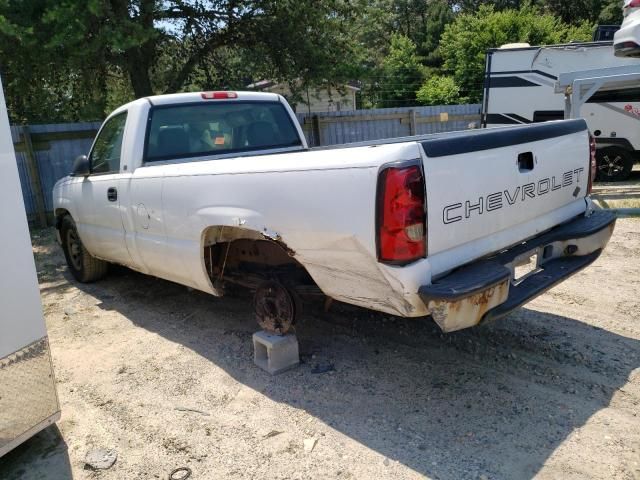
[(42, 456)]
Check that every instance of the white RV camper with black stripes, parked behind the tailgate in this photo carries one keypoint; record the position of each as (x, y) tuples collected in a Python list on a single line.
[(520, 89)]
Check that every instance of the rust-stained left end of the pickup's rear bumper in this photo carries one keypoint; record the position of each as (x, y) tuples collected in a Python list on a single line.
[(467, 312)]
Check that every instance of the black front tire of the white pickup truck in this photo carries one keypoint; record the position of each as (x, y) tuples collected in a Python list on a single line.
[(84, 267)]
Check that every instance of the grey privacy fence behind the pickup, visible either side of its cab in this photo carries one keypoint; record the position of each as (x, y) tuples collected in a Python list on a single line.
[(45, 153)]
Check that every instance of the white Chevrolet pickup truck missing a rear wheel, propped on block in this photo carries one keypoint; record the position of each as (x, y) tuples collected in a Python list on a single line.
[(217, 188)]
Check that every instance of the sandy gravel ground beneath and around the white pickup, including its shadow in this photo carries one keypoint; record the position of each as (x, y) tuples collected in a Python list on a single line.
[(165, 377)]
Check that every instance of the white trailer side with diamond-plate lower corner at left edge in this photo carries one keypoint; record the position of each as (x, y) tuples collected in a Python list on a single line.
[(28, 398)]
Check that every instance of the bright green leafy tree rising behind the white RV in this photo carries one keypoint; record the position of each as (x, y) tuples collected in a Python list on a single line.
[(466, 40)]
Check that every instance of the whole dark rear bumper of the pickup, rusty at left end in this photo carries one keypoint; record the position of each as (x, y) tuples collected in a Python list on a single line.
[(486, 290)]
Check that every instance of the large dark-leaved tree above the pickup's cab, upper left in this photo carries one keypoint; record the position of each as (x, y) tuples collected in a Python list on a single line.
[(99, 50)]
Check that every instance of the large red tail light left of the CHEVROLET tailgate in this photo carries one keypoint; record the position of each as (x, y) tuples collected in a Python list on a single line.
[(401, 215)]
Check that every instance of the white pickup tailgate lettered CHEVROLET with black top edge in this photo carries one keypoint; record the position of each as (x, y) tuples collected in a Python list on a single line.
[(490, 189)]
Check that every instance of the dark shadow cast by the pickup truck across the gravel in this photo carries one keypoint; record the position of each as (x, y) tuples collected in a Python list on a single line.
[(495, 401)]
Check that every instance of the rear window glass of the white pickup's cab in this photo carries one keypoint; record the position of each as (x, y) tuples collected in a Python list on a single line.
[(185, 131)]
